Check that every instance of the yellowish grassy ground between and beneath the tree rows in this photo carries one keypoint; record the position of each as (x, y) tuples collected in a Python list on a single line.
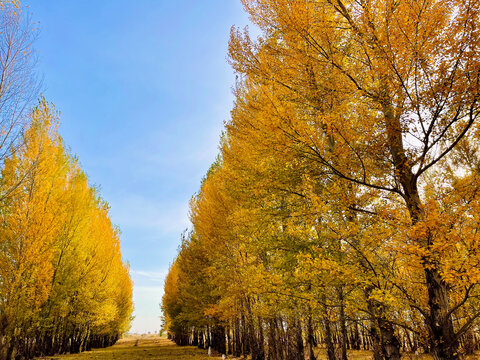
[(156, 348)]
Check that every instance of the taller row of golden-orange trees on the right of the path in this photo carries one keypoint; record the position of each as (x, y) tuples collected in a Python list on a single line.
[(343, 208)]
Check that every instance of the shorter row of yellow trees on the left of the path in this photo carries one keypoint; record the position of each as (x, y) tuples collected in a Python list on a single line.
[(63, 284)]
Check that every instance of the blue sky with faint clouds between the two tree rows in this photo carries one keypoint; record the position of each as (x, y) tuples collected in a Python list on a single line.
[(143, 87)]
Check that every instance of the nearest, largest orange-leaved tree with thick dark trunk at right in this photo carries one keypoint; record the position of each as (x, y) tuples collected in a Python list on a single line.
[(396, 89)]
